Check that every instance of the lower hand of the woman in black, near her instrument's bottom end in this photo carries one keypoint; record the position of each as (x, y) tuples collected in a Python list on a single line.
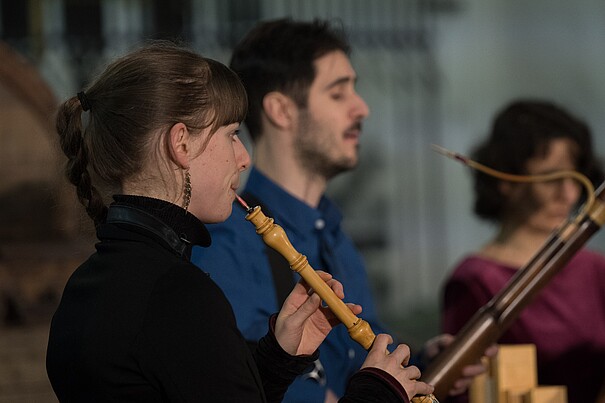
[(395, 364)]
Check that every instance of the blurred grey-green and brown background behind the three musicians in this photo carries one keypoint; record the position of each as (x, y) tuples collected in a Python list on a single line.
[(432, 71)]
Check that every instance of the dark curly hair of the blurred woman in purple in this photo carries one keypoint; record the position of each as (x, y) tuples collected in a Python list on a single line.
[(523, 130)]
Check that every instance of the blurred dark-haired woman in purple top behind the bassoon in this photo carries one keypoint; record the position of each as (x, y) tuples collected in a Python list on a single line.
[(566, 321)]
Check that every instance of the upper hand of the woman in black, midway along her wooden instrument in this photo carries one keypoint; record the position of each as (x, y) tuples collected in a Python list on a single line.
[(302, 323)]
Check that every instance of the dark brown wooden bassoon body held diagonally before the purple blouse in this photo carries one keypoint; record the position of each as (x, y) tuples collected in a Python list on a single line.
[(490, 322)]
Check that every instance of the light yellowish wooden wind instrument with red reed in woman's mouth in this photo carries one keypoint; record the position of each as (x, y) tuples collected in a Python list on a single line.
[(275, 237)]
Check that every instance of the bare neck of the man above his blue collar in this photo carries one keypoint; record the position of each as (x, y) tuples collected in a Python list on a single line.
[(279, 164)]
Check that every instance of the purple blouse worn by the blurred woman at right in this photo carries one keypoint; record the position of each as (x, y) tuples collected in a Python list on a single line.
[(566, 320)]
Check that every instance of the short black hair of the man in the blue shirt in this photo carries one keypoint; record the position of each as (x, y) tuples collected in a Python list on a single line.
[(279, 55)]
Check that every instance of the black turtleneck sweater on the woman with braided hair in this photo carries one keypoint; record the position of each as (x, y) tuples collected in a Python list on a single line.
[(139, 323)]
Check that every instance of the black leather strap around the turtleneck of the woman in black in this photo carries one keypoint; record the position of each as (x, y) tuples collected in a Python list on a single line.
[(120, 214)]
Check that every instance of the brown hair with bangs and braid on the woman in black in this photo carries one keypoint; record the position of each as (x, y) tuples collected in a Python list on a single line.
[(133, 103)]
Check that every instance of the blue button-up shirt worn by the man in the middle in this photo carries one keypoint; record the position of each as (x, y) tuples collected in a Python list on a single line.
[(237, 261)]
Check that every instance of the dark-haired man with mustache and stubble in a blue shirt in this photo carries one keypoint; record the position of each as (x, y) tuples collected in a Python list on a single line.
[(305, 120)]
